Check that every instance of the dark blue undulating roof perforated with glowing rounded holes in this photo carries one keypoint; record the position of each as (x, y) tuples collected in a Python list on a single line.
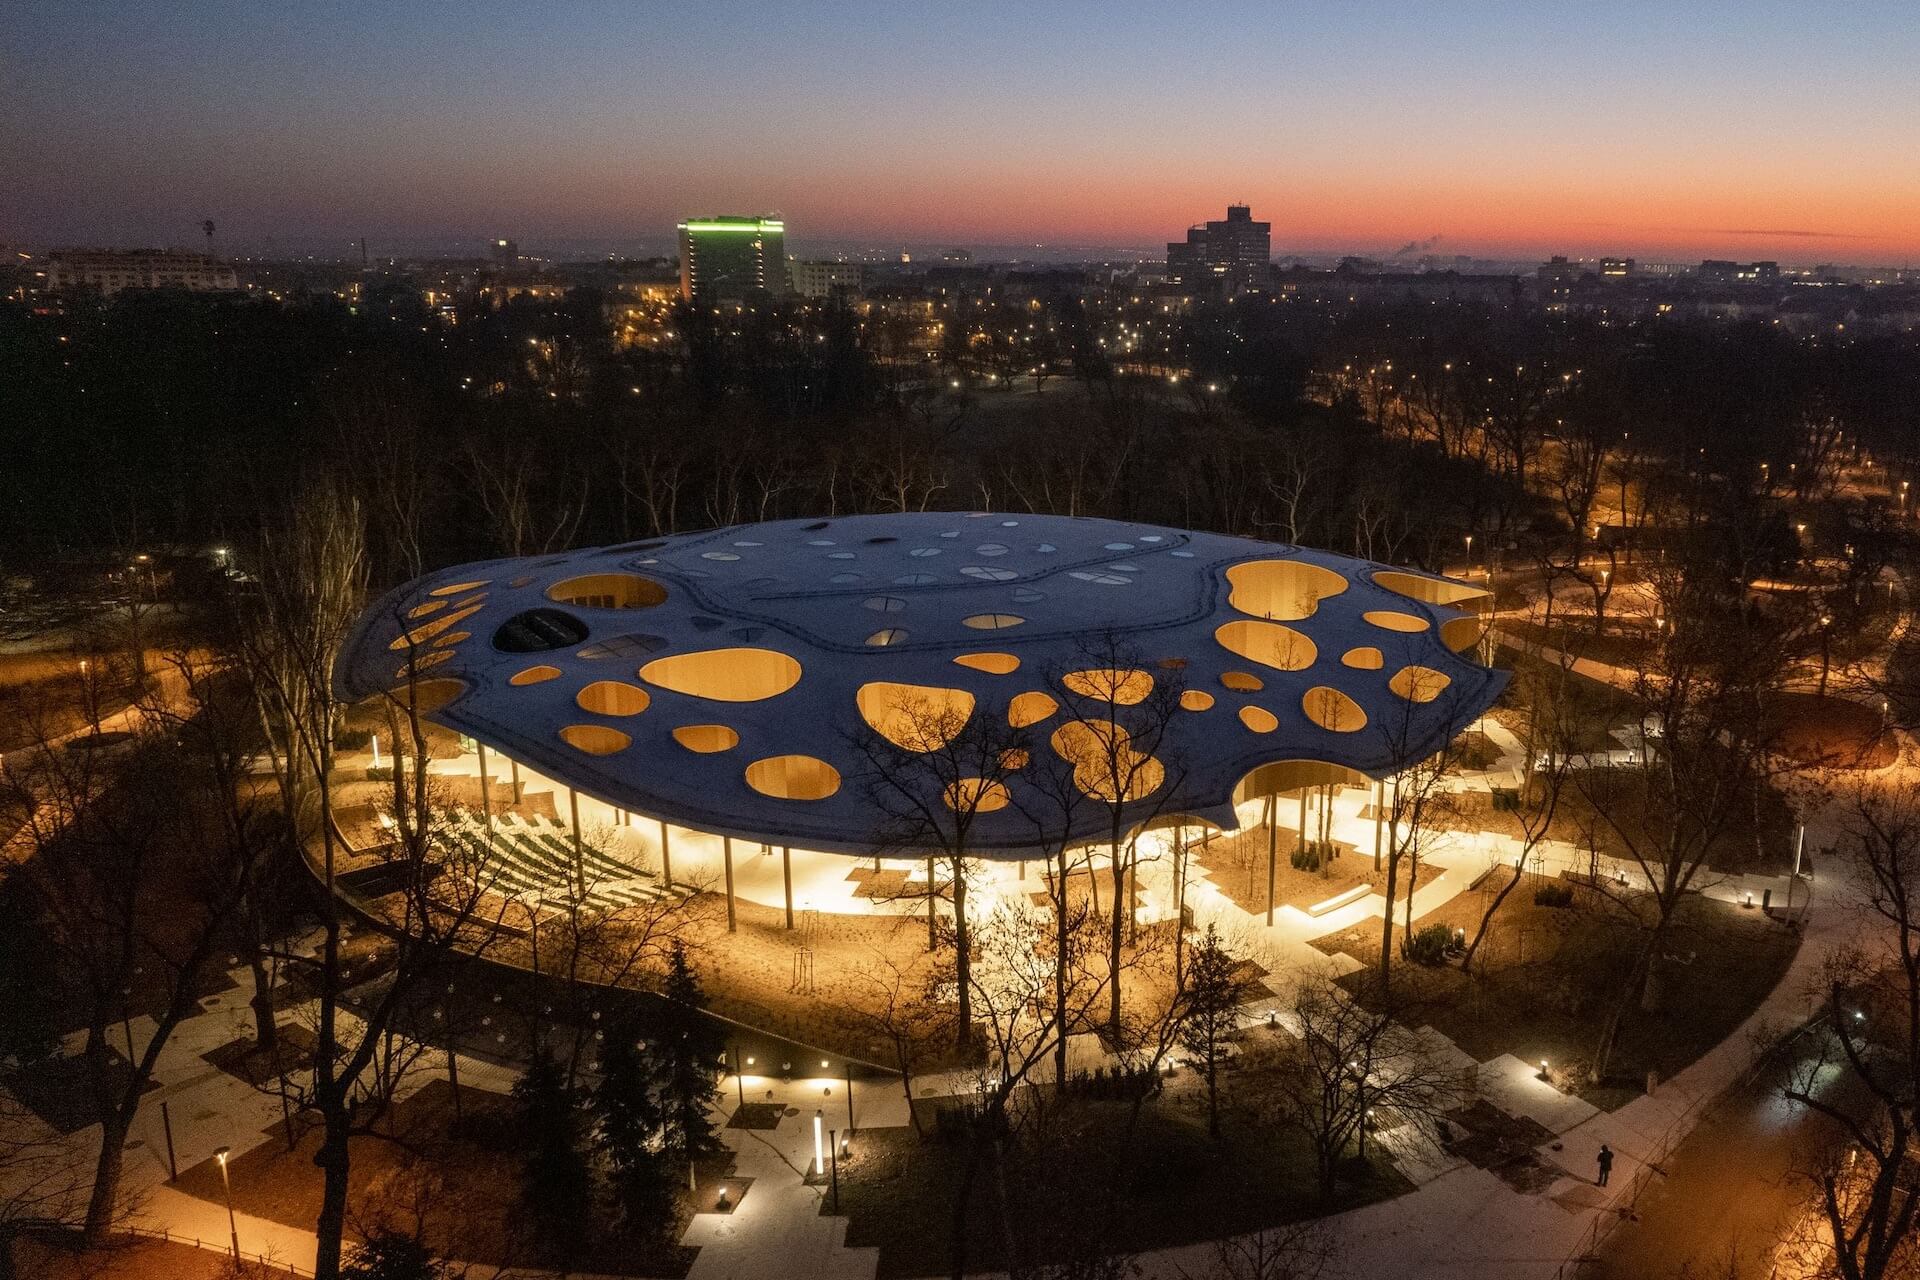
[(723, 680)]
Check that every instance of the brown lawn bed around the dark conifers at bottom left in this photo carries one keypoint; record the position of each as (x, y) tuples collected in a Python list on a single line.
[(460, 1175)]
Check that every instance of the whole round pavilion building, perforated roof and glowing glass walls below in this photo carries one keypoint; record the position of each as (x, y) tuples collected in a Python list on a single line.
[(773, 711)]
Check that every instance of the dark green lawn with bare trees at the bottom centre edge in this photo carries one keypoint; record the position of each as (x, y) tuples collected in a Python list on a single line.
[(1170, 1183)]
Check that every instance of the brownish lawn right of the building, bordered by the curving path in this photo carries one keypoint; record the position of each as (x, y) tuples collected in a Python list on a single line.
[(1547, 978)]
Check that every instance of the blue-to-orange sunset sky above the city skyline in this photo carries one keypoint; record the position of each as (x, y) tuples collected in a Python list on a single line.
[(1508, 130)]
